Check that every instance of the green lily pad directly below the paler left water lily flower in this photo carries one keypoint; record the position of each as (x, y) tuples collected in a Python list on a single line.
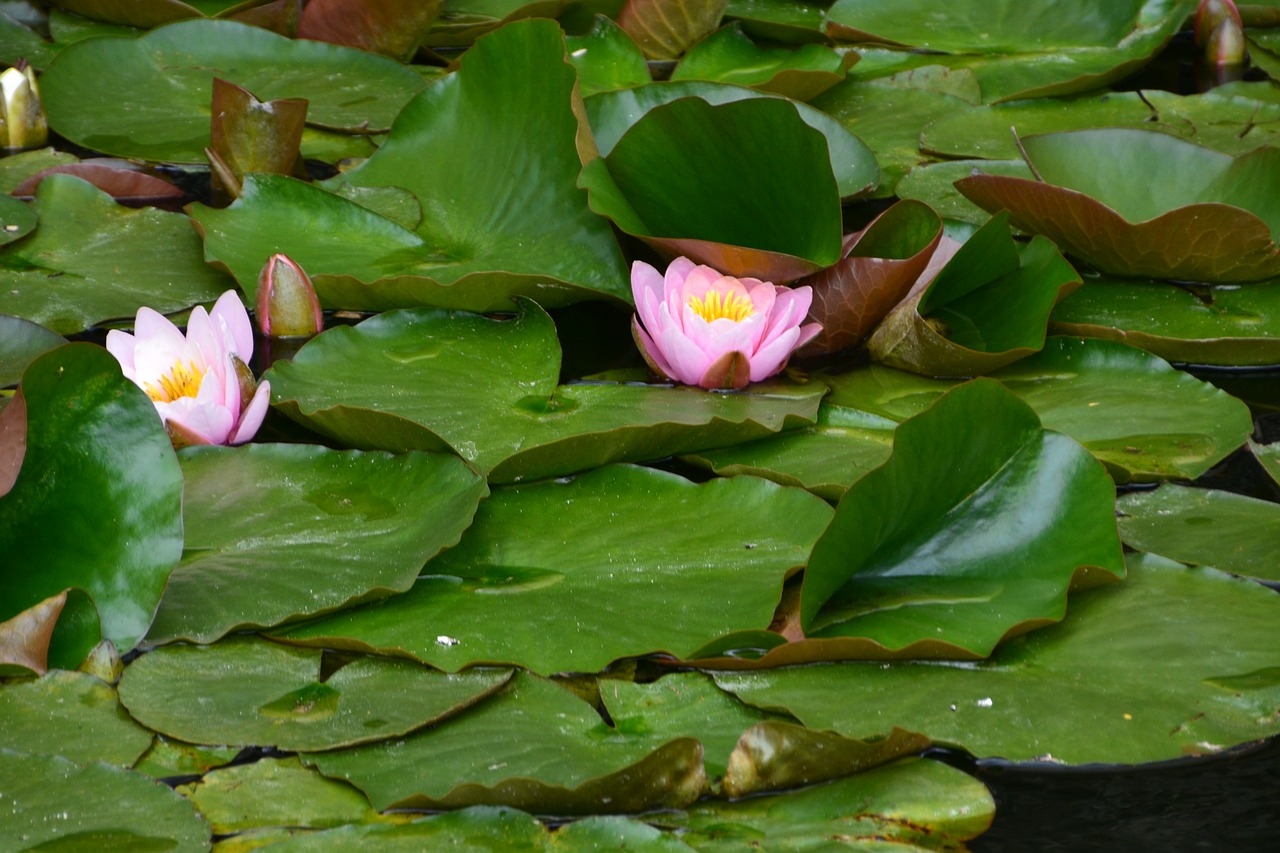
[(277, 532)]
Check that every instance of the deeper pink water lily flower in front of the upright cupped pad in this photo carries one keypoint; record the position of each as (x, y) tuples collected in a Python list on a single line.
[(702, 329)]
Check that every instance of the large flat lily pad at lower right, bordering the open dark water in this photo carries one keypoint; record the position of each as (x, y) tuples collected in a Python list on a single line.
[(1174, 662)]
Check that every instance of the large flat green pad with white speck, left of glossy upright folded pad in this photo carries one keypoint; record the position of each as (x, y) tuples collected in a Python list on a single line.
[(637, 581)]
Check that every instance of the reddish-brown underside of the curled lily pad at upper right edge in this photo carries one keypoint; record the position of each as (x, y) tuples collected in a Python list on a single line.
[(1200, 243)]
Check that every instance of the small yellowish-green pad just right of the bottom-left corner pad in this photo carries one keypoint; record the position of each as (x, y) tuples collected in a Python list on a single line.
[(277, 792)]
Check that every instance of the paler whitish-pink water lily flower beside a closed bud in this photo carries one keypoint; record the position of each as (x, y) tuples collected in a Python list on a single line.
[(199, 382)]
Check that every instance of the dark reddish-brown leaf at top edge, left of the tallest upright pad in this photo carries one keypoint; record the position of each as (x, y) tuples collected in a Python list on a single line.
[(388, 28)]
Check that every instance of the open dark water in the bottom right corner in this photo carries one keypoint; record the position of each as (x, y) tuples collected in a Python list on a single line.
[(1229, 802)]
